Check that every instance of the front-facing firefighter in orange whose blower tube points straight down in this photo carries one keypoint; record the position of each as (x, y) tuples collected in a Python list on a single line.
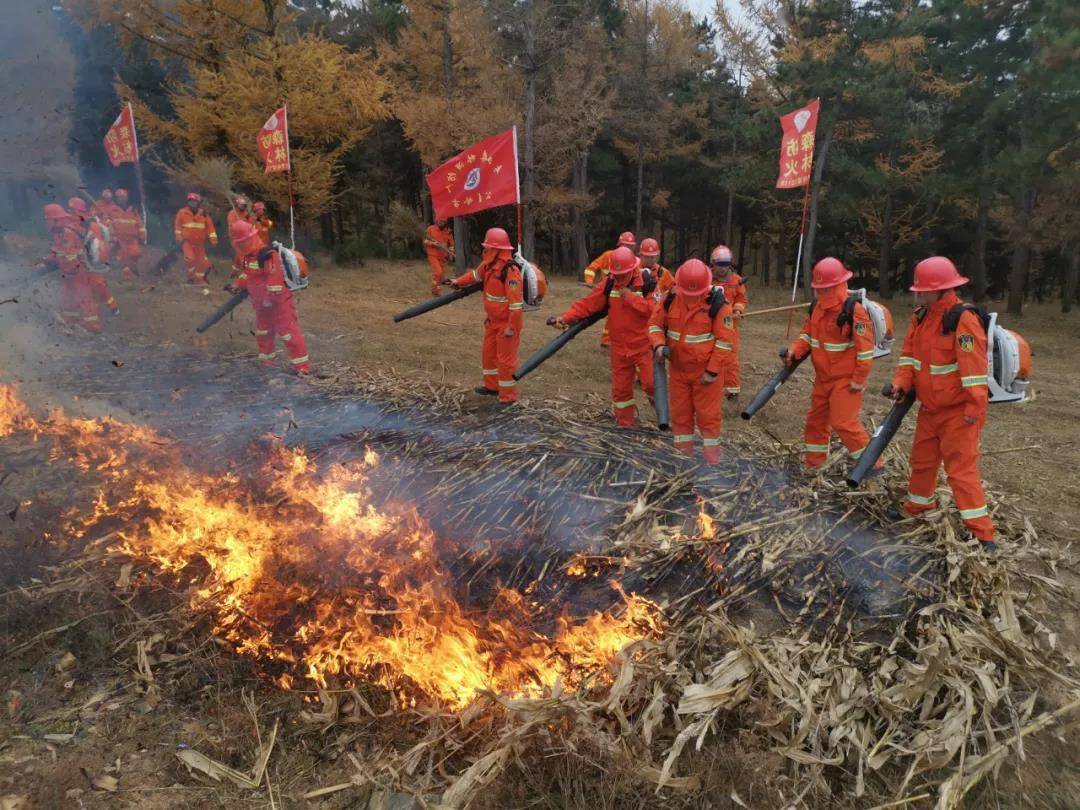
[(693, 329)]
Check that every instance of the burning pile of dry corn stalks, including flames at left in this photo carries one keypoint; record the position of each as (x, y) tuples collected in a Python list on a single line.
[(903, 667)]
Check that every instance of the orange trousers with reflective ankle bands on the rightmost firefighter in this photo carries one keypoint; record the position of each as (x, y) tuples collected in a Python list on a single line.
[(944, 437)]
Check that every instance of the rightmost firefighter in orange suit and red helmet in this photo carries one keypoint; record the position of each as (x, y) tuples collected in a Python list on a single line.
[(944, 362)]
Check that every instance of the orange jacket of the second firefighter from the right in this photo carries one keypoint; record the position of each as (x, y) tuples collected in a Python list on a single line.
[(838, 353)]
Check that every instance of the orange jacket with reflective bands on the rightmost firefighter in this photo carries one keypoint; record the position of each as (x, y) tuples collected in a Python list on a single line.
[(947, 370)]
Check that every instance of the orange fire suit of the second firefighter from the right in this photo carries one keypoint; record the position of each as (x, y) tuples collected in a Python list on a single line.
[(842, 356)]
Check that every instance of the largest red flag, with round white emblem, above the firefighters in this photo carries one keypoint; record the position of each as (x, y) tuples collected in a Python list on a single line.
[(483, 177)]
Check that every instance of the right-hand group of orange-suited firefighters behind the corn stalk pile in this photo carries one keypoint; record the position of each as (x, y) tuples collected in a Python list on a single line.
[(688, 321)]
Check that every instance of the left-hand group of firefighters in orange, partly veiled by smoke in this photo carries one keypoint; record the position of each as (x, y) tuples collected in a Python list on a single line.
[(87, 240)]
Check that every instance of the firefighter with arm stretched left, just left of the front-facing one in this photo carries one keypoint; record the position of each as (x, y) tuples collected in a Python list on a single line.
[(629, 304)]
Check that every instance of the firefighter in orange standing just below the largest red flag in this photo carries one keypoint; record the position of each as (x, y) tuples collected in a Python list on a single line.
[(505, 307)]
